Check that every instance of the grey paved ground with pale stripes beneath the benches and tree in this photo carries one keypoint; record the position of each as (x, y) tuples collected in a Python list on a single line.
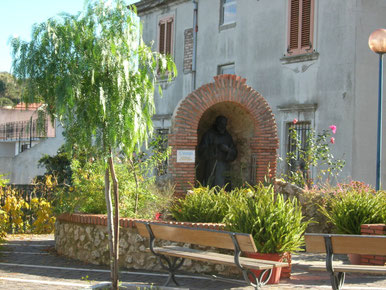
[(30, 262)]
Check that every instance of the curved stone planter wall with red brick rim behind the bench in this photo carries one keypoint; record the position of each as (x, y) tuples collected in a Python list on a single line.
[(84, 237)]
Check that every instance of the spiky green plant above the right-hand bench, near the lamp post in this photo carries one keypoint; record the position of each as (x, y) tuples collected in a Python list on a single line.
[(355, 204)]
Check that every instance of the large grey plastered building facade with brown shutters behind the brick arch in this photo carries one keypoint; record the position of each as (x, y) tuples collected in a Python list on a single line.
[(309, 59)]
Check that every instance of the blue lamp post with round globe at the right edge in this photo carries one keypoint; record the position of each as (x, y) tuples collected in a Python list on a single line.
[(377, 43)]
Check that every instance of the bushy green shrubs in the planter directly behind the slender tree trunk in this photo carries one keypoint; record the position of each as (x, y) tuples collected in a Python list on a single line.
[(140, 196)]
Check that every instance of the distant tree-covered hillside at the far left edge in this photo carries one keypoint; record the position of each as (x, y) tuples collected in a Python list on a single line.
[(10, 91)]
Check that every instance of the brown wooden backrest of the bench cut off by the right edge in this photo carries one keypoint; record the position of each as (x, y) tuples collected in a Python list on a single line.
[(347, 244)]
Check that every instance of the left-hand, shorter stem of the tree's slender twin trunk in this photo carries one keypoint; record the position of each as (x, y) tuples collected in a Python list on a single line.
[(110, 221)]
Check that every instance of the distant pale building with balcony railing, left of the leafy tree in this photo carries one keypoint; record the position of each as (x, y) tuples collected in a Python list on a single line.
[(23, 142)]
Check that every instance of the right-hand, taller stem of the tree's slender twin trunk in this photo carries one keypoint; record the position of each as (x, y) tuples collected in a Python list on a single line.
[(116, 221)]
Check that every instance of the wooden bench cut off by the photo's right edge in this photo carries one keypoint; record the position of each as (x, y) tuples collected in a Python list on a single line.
[(345, 244)]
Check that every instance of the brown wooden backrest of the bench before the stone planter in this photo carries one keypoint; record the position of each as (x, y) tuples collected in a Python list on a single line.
[(198, 236)]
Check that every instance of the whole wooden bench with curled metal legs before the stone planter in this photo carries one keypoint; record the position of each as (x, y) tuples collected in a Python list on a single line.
[(172, 257)]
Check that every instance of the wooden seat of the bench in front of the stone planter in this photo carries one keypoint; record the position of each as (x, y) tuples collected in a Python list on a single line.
[(217, 258)]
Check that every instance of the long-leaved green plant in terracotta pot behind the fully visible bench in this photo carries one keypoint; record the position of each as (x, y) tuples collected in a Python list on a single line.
[(277, 225)]
